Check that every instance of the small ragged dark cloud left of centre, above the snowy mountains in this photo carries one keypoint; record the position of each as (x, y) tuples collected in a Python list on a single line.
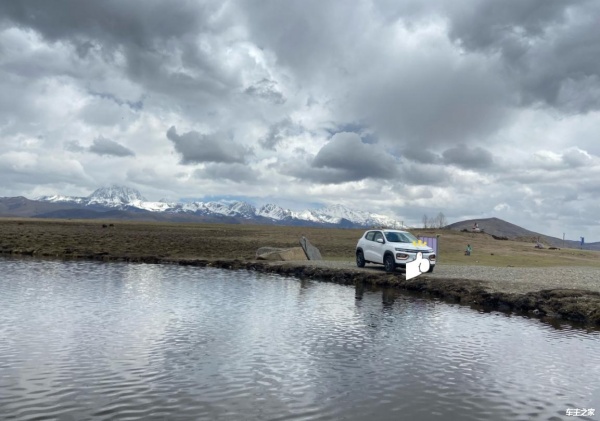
[(196, 148)]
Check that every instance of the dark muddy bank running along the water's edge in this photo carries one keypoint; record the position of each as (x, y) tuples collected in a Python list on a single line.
[(568, 304)]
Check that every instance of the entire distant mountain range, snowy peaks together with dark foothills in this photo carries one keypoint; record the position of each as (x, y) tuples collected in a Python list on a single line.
[(120, 202)]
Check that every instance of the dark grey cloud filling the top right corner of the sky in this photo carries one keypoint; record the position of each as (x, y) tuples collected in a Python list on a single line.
[(550, 47)]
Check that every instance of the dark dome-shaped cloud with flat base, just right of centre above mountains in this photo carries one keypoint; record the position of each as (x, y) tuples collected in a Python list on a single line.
[(346, 158)]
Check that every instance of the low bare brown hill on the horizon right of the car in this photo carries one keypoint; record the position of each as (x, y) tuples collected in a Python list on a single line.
[(500, 228)]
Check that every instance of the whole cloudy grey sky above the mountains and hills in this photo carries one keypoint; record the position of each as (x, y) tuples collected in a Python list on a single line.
[(472, 108)]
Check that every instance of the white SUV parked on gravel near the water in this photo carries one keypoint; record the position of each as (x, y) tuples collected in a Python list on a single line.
[(392, 249)]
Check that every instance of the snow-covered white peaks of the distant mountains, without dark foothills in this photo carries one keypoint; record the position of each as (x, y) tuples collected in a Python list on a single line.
[(128, 199)]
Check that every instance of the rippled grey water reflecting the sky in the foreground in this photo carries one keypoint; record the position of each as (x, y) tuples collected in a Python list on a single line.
[(94, 341)]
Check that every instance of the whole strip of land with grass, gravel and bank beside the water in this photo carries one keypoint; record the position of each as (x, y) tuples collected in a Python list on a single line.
[(500, 278)]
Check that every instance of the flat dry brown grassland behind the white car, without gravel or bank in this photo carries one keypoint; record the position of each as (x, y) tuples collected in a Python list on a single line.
[(81, 238)]
